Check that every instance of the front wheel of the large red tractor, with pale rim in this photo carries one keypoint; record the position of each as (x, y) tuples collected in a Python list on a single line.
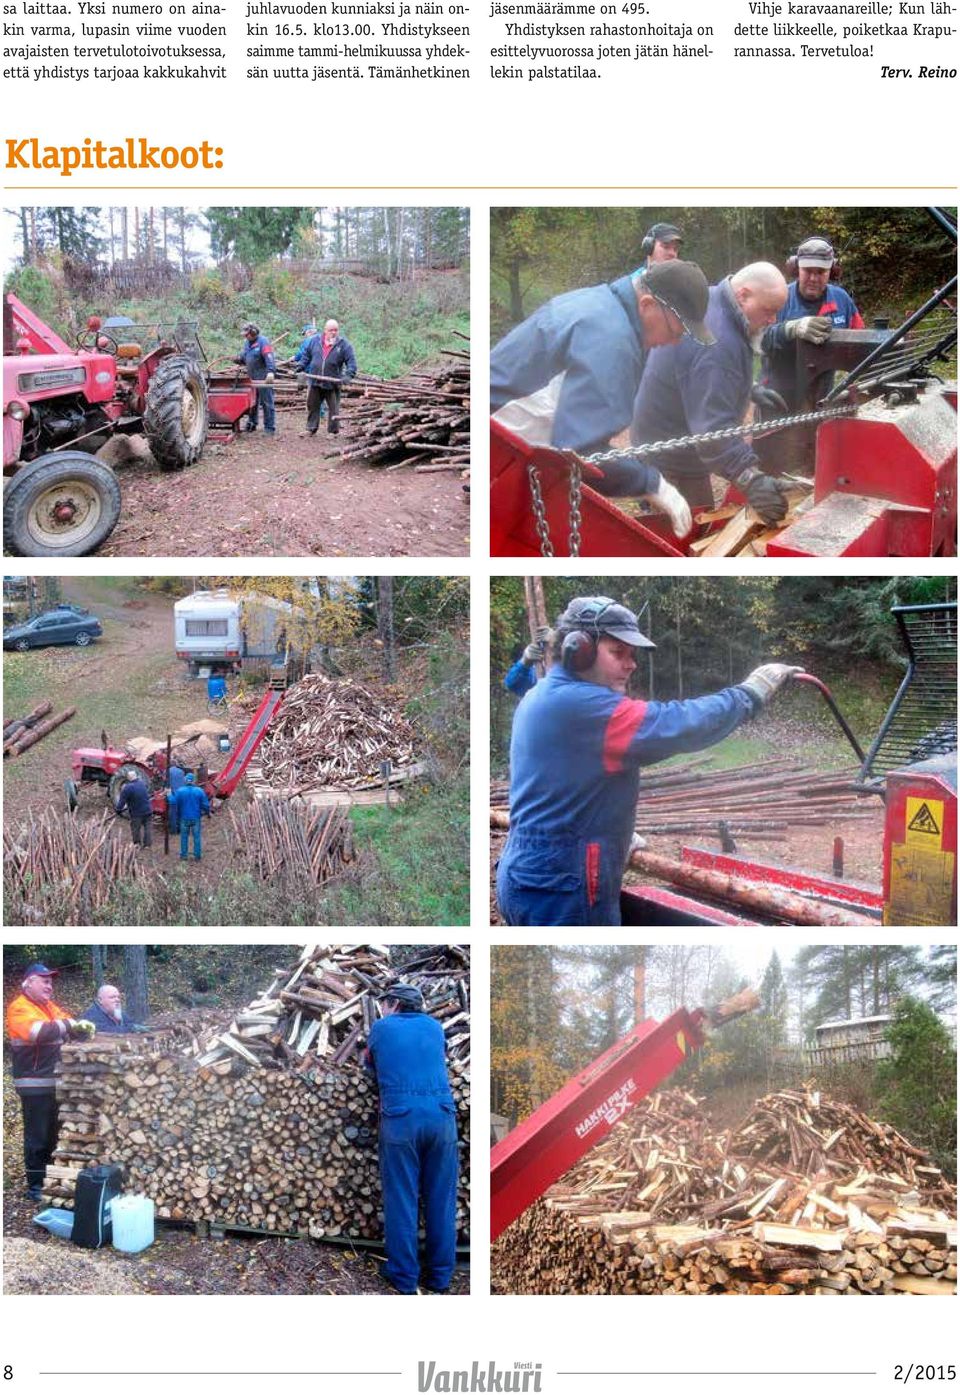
[(61, 506)]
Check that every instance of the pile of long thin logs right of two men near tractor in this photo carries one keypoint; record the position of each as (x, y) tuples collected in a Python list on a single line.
[(422, 421)]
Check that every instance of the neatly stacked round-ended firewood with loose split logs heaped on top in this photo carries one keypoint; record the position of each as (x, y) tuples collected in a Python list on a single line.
[(266, 1119)]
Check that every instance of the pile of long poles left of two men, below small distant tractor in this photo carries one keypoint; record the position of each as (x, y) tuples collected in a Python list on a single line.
[(61, 871)]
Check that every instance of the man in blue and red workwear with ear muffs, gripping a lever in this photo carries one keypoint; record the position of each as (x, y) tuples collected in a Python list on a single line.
[(577, 750)]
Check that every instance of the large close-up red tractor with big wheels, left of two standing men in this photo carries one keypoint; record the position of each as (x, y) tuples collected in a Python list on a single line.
[(62, 404)]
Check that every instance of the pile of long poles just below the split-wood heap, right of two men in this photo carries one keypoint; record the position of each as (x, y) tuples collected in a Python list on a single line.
[(278, 839)]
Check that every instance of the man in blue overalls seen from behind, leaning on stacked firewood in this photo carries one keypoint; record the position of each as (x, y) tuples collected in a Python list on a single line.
[(418, 1140)]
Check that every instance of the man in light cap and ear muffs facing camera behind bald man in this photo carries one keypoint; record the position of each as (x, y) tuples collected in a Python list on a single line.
[(816, 308)]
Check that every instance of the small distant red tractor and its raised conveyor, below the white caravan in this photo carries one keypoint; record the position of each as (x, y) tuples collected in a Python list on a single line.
[(111, 768)]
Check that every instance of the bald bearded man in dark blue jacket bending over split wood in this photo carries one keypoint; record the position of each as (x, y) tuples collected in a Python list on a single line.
[(689, 390)]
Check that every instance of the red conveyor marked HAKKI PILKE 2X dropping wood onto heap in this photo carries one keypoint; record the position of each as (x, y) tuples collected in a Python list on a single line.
[(546, 1145)]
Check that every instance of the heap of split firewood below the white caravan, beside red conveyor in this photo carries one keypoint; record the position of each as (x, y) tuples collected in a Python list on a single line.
[(333, 733)]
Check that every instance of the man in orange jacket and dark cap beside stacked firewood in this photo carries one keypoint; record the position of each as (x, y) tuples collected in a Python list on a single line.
[(37, 1030)]
